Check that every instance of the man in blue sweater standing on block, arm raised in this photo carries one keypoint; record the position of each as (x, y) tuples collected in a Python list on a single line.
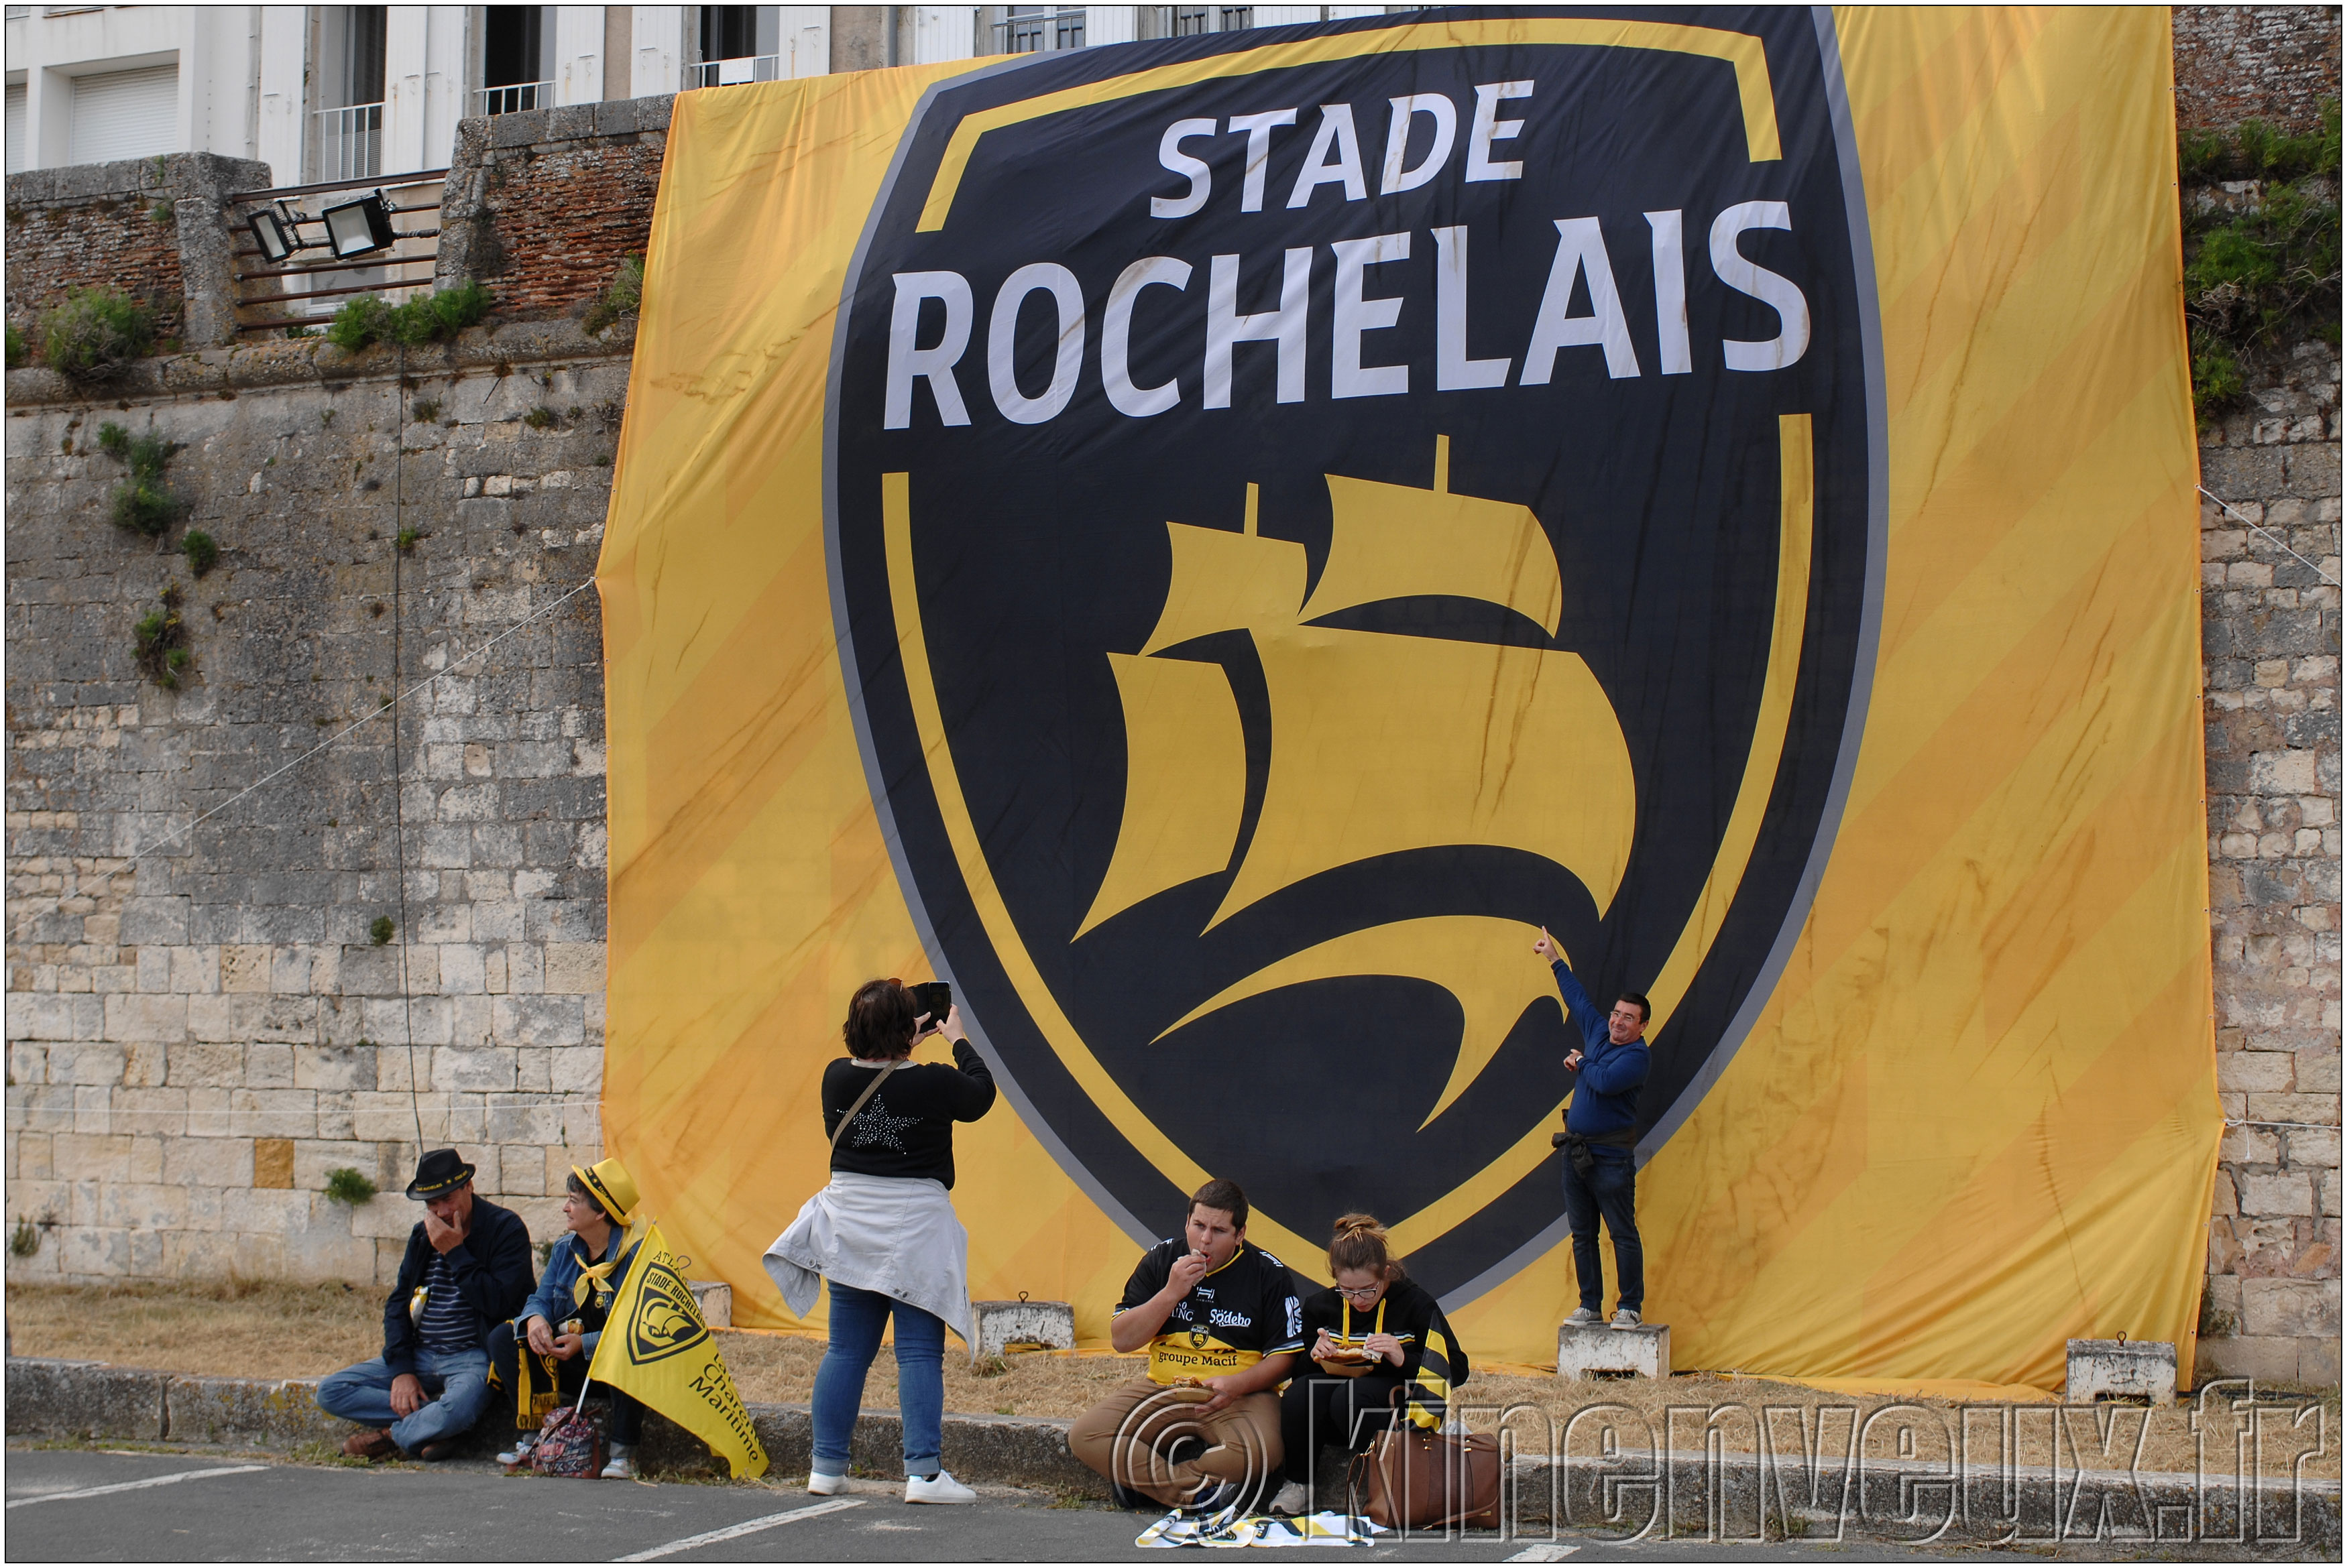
[(1602, 1128)]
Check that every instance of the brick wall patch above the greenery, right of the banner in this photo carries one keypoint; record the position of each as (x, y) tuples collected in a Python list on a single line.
[(2257, 62)]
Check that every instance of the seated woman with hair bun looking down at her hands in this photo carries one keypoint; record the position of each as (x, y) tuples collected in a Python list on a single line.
[(1384, 1351)]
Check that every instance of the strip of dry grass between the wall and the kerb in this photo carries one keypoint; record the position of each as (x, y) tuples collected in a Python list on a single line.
[(269, 1330)]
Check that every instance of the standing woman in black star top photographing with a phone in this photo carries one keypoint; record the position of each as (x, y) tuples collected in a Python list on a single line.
[(884, 1234)]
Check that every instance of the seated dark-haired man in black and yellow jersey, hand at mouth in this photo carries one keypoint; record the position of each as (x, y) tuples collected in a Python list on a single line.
[(1222, 1323)]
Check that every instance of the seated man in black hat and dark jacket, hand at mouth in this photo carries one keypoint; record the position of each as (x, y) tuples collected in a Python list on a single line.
[(468, 1269)]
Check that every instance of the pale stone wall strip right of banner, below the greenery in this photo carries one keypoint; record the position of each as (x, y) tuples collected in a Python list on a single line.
[(2271, 630)]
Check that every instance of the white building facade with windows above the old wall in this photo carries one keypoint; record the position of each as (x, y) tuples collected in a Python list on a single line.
[(341, 93)]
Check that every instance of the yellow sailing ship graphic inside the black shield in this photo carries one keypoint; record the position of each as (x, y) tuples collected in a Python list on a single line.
[(1372, 748)]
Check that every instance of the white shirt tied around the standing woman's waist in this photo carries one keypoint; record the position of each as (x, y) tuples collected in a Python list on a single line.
[(895, 1236)]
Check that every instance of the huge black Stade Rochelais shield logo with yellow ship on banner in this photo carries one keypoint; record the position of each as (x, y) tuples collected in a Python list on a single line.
[(1313, 506)]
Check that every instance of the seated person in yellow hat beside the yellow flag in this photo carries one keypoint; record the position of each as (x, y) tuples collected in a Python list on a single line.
[(564, 1318)]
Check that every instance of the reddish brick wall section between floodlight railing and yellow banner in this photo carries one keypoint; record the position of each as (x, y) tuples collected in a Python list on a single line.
[(543, 208)]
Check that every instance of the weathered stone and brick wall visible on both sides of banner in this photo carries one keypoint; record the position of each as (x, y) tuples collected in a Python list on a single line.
[(194, 1041)]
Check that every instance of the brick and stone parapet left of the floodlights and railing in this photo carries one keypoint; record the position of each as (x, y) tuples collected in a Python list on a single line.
[(147, 227)]
